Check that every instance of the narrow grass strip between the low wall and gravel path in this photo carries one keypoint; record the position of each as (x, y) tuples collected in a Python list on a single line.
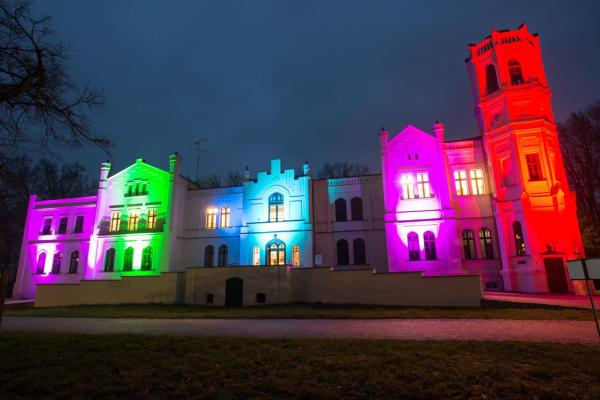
[(490, 310)]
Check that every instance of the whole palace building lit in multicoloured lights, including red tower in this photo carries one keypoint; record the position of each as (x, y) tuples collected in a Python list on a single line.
[(496, 205)]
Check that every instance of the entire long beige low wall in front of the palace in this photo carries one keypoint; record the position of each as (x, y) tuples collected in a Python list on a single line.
[(271, 285)]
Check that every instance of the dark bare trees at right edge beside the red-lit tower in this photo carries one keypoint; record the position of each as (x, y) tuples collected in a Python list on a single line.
[(580, 143)]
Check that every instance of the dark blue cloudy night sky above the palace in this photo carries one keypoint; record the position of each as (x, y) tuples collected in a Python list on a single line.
[(299, 80)]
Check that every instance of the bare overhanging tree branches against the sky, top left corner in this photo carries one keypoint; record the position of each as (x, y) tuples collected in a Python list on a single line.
[(39, 103)]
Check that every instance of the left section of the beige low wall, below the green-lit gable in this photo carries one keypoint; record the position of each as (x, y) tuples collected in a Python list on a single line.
[(167, 288)]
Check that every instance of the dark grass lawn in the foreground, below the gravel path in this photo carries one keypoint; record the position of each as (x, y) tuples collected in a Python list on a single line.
[(55, 366)]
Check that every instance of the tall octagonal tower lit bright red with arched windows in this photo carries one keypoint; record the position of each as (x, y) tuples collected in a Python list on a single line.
[(534, 209)]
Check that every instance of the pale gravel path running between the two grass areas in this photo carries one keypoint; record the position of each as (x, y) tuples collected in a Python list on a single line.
[(410, 329)]
